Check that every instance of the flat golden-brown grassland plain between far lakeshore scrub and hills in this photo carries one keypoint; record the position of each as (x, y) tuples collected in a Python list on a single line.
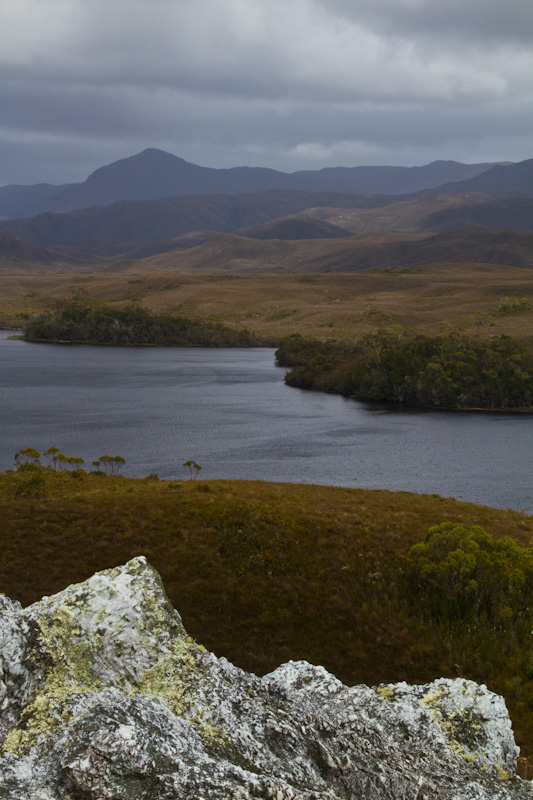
[(431, 298)]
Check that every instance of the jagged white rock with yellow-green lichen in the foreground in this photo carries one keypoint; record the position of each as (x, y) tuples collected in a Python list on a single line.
[(103, 696)]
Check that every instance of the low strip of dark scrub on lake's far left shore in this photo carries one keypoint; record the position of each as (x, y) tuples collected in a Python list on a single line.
[(93, 322)]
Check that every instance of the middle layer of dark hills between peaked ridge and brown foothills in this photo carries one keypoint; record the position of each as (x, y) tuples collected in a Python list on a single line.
[(116, 229)]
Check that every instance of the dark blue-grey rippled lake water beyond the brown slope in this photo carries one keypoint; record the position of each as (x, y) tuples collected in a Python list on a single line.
[(229, 410)]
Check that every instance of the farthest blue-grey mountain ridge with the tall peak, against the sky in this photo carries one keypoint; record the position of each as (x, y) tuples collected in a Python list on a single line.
[(154, 174)]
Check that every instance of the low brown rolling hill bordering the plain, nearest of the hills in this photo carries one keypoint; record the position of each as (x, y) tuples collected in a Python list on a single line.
[(230, 253)]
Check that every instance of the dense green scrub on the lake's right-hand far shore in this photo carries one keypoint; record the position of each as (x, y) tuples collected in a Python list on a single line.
[(450, 371)]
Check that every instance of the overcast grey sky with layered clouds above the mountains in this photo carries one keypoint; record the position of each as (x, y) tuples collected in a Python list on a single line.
[(288, 84)]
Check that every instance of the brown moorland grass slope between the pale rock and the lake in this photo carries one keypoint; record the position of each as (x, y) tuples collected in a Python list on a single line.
[(265, 572)]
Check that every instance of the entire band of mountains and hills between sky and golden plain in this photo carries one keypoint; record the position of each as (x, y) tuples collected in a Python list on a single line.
[(480, 213)]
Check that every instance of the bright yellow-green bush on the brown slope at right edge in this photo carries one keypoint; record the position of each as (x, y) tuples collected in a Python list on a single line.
[(474, 594)]
